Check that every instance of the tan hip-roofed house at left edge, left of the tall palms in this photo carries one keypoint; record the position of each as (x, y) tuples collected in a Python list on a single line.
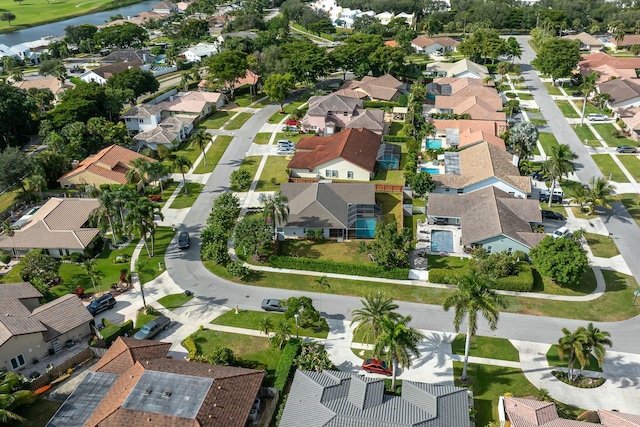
[(59, 227)]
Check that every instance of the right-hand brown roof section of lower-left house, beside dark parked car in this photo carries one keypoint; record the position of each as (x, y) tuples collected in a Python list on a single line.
[(62, 315)]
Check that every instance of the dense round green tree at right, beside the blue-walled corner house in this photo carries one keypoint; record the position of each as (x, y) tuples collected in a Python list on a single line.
[(563, 260)]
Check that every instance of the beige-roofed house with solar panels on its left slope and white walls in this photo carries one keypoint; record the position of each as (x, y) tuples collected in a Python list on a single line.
[(479, 166)]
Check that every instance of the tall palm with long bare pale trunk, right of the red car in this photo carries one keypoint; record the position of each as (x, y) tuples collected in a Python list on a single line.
[(474, 297)]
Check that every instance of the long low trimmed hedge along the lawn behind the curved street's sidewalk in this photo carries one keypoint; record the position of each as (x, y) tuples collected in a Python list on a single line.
[(367, 270)]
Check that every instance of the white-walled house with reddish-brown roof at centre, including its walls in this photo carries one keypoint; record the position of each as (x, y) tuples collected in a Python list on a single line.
[(347, 155)]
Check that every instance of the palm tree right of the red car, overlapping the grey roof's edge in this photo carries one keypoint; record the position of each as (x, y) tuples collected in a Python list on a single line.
[(397, 342)]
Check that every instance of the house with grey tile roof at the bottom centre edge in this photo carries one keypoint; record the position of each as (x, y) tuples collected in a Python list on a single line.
[(346, 399)]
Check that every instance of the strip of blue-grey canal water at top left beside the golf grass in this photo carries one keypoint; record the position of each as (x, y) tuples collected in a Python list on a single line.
[(57, 28)]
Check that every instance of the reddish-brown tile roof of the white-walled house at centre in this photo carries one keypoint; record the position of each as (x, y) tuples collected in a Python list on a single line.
[(357, 146)]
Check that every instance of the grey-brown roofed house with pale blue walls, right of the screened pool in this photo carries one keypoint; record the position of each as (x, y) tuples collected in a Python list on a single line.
[(490, 218)]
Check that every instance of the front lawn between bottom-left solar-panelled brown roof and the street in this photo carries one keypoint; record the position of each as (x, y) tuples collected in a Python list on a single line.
[(251, 349)]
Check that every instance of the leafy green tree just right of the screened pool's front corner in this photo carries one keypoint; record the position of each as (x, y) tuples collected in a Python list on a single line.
[(391, 248)]
